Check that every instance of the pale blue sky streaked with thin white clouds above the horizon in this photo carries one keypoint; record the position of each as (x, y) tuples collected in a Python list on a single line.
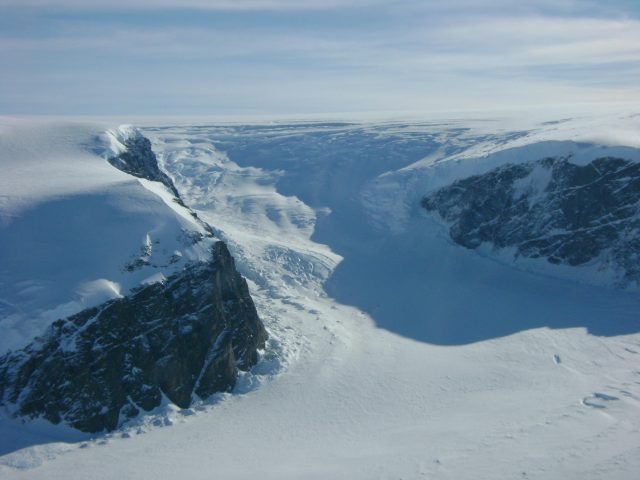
[(288, 57)]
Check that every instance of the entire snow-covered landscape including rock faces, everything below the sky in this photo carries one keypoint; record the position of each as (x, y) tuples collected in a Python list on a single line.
[(452, 299)]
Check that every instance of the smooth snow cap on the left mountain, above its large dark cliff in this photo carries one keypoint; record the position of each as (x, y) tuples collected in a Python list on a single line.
[(70, 223)]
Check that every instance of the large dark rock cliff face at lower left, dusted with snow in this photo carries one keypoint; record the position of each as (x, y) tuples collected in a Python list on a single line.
[(184, 337)]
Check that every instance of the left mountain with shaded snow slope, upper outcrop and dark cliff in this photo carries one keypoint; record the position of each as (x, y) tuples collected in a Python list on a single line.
[(180, 333)]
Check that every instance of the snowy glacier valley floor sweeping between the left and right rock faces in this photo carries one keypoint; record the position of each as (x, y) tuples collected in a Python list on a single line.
[(393, 352)]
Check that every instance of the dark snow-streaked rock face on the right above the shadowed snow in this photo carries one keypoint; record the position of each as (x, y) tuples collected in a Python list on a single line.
[(551, 208)]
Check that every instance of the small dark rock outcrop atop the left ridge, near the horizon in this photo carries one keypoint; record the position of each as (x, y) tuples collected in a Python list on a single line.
[(139, 160)]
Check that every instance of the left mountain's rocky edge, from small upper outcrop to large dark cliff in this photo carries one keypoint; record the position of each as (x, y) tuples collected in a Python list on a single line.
[(182, 333)]
